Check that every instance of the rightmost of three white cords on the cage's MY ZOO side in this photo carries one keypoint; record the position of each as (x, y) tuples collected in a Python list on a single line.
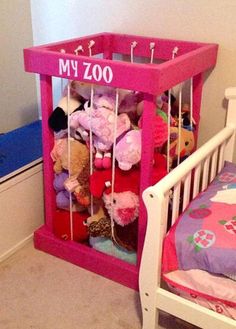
[(113, 163)]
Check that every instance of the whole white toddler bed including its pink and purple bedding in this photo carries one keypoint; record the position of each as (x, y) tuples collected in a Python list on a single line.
[(196, 295)]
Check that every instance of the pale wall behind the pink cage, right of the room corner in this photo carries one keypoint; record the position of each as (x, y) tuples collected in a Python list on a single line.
[(201, 20)]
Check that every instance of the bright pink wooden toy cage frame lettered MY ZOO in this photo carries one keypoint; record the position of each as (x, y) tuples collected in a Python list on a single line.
[(192, 61)]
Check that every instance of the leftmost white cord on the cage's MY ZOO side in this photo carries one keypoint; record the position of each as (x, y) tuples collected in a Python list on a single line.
[(69, 158)]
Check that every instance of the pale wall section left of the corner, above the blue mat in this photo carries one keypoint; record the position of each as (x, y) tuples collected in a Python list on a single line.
[(18, 101)]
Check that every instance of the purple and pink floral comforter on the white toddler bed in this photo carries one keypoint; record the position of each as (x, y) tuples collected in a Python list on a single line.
[(204, 237)]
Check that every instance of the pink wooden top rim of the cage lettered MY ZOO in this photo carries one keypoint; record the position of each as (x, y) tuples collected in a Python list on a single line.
[(151, 78)]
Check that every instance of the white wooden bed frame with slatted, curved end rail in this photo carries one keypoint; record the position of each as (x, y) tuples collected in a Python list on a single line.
[(197, 172)]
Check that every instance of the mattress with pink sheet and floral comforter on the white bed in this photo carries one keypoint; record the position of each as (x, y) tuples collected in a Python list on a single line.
[(199, 251)]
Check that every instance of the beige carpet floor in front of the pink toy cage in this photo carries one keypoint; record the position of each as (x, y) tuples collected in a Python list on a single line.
[(39, 291)]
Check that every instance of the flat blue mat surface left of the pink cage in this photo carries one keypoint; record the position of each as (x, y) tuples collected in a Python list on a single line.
[(20, 147)]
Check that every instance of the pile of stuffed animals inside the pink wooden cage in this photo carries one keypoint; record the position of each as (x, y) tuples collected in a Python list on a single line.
[(105, 202)]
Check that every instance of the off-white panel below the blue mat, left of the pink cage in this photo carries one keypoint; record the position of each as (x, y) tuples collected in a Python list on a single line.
[(22, 209)]
